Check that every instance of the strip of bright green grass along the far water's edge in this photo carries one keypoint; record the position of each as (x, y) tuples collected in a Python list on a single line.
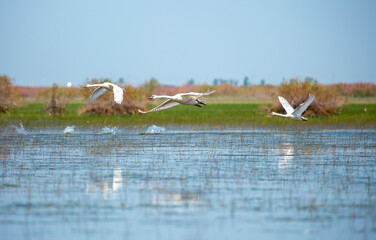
[(213, 115)]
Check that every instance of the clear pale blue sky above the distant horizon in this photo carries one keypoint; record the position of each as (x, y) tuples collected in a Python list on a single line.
[(46, 42)]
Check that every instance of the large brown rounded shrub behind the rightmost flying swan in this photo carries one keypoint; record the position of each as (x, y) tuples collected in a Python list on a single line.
[(296, 91)]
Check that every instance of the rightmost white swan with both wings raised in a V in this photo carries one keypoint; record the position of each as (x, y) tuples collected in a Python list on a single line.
[(294, 114)]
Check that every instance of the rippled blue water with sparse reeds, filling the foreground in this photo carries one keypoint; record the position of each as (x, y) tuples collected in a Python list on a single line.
[(188, 184)]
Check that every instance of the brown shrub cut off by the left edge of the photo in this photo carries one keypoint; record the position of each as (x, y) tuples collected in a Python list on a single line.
[(9, 96)]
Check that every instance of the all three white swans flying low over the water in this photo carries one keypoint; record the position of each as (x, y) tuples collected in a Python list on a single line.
[(191, 98)]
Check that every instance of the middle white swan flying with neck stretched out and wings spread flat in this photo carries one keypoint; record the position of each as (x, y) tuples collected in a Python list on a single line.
[(180, 98)]
